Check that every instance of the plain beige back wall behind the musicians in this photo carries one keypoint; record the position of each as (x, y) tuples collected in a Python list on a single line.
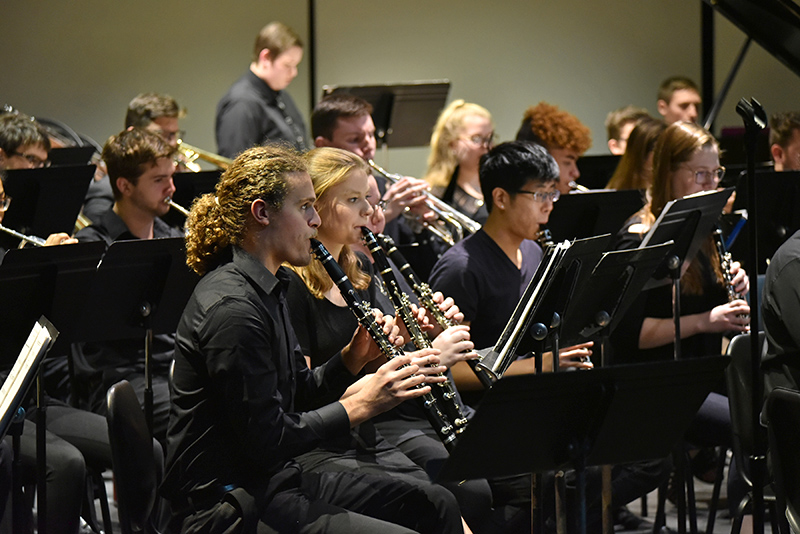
[(82, 61)]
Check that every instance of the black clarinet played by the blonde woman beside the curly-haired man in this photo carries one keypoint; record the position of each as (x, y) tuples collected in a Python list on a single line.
[(444, 392)]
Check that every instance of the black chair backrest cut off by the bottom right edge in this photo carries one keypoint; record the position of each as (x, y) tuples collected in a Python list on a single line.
[(783, 410)]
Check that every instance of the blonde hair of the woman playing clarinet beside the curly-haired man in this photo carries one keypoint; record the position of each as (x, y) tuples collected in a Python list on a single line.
[(327, 168)]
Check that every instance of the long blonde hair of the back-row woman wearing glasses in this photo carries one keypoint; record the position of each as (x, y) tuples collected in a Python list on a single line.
[(442, 160)]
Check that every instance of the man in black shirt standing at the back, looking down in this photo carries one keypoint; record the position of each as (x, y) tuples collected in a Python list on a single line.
[(256, 108)]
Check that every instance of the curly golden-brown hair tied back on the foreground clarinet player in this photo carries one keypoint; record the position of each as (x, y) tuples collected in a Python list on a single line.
[(219, 220)]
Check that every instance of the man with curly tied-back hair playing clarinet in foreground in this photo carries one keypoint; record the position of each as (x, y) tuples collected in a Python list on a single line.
[(244, 402)]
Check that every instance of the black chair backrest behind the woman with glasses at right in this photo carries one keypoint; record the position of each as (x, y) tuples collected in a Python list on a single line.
[(740, 391)]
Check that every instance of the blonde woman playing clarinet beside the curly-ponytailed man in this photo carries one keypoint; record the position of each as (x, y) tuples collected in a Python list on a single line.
[(324, 324)]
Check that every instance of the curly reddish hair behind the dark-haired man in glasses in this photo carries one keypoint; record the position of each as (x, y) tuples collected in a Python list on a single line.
[(552, 127)]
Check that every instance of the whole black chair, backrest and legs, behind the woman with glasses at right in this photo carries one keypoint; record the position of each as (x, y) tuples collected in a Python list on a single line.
[(740, 390)]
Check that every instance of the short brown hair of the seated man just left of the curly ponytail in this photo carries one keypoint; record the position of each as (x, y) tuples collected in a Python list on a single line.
[(129, 154)]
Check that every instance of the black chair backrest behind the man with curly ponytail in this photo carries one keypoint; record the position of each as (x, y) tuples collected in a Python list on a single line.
[(132, 458)]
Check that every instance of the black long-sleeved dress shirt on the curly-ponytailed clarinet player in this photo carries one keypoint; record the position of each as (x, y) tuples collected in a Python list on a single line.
[(240, 385)]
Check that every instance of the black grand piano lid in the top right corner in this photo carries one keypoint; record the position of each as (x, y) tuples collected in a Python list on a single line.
[(773, 24)]
